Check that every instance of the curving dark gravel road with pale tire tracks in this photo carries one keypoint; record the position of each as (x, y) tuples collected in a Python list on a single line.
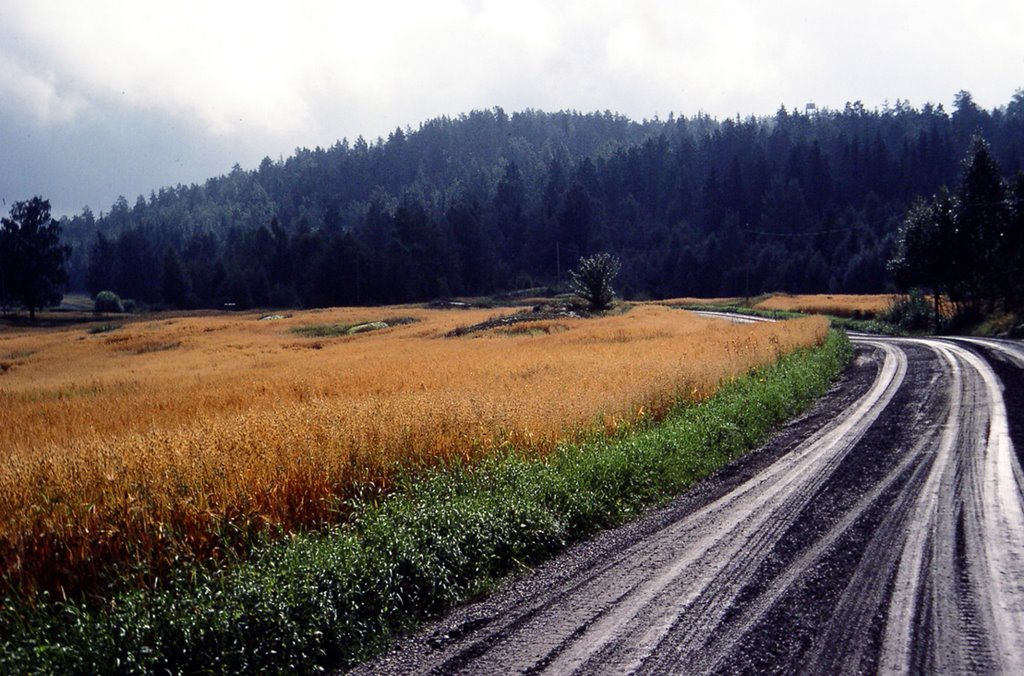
[(882, 532)]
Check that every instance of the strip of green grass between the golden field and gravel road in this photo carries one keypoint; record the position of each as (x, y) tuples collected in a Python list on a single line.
[(328, 600)]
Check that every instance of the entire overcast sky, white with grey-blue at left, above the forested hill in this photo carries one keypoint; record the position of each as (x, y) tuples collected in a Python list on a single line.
[(101, 99)]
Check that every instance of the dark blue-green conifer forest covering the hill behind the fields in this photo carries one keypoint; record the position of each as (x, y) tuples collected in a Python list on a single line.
[(806, 201)]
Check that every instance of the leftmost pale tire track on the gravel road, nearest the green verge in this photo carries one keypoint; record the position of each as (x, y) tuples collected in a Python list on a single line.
[(726, 541)]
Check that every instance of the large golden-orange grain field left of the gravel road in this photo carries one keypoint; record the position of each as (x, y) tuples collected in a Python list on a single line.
[(184, 437)]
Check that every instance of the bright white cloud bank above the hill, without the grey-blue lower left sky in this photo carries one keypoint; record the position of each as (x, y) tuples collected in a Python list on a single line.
[(304, 68)]
